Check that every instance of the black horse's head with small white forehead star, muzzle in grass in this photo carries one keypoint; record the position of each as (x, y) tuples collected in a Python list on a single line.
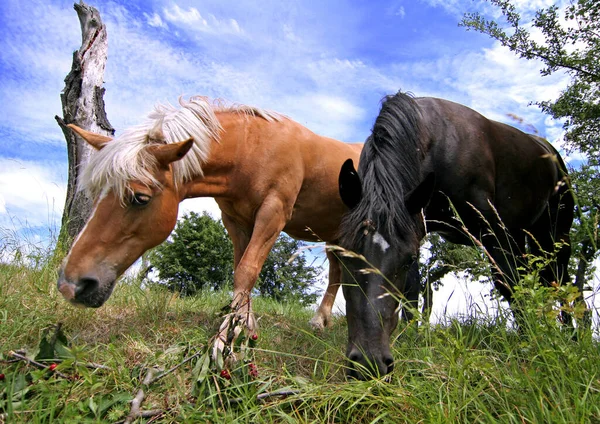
[(375, 274)]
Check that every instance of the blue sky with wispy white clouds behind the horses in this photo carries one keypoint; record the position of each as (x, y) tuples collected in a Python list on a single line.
[(325, 64)]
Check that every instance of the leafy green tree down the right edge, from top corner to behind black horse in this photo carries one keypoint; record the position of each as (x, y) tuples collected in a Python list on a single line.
[(569, 44)]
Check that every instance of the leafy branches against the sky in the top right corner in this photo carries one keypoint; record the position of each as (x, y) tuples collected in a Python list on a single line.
[(570, 44)]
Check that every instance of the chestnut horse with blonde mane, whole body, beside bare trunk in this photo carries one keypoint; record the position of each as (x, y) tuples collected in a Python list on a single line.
[(266, 172)]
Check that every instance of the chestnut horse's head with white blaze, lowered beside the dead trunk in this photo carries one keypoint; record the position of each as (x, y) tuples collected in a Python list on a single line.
[(128, 218)]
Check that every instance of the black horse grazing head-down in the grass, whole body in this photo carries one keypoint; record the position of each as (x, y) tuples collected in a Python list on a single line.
[(434, 165)]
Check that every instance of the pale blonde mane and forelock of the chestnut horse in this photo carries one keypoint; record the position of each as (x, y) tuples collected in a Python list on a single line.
[(126, 158)]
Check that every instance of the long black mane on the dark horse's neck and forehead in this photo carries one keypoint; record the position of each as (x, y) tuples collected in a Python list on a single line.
[(390, 167)]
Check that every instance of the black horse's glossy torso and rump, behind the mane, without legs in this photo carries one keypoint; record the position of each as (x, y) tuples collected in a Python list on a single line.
[(480, 161)]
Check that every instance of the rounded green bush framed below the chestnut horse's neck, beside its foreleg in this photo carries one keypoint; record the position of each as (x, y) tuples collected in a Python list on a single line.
[(197, 255)]
